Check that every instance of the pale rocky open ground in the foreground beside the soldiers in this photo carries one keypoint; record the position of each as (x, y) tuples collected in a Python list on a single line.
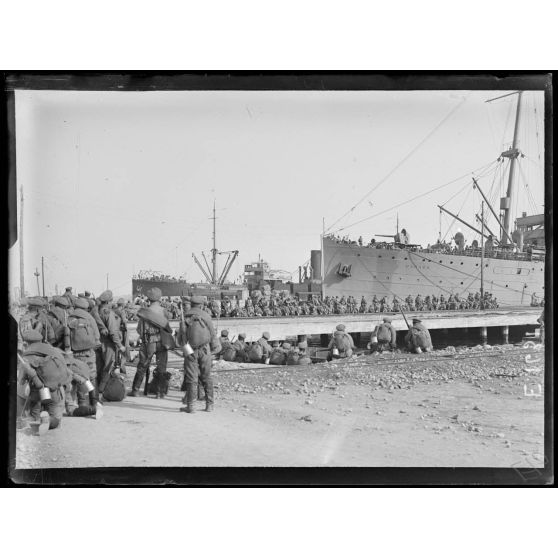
[(452, 408)]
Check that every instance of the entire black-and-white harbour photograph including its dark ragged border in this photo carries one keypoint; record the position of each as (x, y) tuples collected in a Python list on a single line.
[(302, 271)]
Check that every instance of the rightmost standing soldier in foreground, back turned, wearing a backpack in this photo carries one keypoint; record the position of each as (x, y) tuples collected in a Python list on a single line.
[(199, 333)]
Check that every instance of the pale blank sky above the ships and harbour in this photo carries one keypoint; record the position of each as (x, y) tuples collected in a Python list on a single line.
[(117, 182)]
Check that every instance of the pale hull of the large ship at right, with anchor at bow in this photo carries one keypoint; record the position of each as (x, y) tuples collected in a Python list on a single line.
[(350, 269)]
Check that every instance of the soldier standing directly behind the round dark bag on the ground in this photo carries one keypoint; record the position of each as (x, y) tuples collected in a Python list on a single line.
[(111, 340)]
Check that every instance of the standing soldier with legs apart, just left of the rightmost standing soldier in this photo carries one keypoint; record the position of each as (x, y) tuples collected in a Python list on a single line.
[(155, 334)]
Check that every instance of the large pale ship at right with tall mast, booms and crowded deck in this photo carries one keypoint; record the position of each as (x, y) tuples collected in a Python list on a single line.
[(509, 265)]
